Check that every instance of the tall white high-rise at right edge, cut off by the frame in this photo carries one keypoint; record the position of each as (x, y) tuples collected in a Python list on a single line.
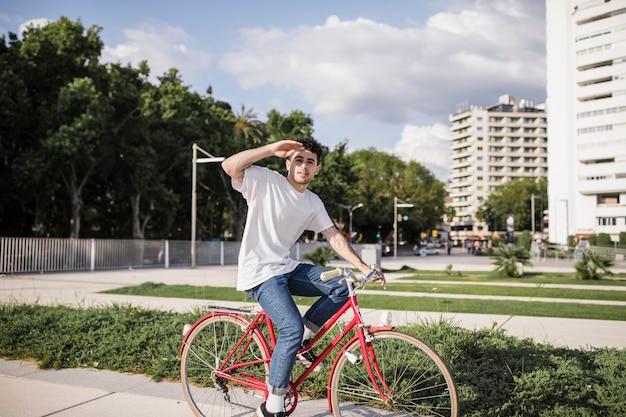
[(586, 106)]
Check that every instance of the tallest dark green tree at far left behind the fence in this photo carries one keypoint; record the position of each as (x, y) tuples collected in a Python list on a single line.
[(66, 112)]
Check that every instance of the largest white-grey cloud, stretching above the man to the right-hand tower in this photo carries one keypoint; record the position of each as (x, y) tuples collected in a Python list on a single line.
[(371, 70)]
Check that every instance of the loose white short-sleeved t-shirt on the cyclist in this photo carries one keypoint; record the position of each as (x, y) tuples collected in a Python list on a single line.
[(277, 217)]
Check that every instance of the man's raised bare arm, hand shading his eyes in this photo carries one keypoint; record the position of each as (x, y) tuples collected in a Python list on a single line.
[(236, 164)]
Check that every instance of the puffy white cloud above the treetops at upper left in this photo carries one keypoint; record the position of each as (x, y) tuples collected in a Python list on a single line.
[(163, 46)]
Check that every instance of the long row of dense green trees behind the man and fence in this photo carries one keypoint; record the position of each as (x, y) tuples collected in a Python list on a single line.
[(94, 149)]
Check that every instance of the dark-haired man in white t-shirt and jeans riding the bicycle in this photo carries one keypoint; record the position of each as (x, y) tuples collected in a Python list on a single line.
[(280, 209)]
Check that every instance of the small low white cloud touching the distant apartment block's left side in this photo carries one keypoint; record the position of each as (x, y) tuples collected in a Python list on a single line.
[(428, 145)]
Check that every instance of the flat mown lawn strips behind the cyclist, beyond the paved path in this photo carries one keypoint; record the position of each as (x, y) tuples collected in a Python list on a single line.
[(441, 303)]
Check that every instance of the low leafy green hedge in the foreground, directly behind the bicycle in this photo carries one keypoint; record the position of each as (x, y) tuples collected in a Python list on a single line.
[(497, 375)]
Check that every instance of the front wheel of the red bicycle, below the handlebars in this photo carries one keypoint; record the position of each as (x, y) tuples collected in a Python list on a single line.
[(414, 379)]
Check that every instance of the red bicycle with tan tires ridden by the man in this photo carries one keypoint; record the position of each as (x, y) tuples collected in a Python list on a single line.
[(376, 371)]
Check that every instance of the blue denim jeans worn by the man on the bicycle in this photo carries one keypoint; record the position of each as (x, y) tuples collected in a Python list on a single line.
[(275, 297)]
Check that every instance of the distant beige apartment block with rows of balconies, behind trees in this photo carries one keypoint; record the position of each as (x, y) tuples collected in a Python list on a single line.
[(490, 146)]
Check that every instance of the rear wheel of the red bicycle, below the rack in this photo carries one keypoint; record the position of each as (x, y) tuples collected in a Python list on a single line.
[(205, 350)]
